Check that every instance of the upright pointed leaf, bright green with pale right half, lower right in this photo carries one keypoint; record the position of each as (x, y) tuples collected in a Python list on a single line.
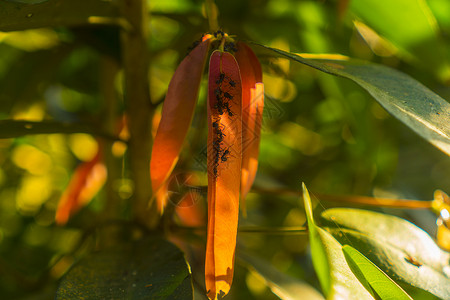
[(335, 276)]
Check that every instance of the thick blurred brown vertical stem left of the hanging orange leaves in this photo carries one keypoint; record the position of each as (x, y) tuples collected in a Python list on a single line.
[(136, 61)]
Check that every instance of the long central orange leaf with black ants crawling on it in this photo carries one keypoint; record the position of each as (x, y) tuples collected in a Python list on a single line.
[(224, 170)]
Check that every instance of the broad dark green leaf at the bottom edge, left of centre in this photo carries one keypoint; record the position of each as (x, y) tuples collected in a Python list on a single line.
[(149, 269)]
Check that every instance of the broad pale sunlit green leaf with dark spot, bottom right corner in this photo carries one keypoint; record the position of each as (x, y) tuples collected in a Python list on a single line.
[(399, 248)]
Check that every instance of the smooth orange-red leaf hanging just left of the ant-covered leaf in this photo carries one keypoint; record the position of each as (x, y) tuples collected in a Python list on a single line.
[(177, 115)]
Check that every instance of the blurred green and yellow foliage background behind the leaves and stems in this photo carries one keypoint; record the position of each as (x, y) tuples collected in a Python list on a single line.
[(318, 129)]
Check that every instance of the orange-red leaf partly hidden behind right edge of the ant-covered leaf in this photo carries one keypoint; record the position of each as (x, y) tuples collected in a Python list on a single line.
[(252, 102)]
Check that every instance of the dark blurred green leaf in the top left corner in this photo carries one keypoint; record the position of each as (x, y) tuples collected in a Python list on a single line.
[(20, 16)]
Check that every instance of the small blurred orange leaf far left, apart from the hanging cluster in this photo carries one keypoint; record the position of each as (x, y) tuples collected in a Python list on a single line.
[(86, 181)]
